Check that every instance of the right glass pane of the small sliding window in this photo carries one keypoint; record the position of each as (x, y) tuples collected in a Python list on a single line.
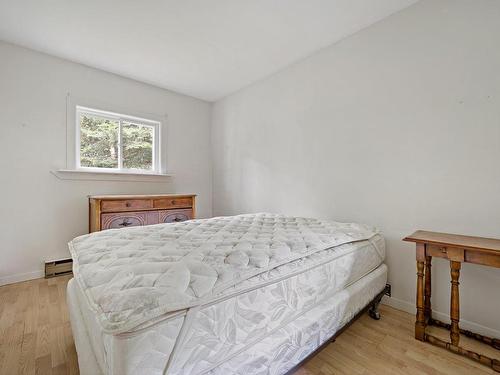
[(137, 146)]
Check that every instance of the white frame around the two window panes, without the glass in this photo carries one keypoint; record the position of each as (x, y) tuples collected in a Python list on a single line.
[(120, 118)]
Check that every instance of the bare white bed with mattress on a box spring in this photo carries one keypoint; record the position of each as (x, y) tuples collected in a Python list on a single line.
[(246, 294)]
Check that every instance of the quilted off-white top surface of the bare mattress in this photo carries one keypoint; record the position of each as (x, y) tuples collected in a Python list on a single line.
[(133, 275)]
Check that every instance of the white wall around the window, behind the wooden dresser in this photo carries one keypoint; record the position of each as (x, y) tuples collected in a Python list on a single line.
[(39, 212)]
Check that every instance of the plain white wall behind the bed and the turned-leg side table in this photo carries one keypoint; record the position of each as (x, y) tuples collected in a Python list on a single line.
[(397, 126)]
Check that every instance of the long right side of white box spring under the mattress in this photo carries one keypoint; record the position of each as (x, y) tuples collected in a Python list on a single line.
[(290, 344)]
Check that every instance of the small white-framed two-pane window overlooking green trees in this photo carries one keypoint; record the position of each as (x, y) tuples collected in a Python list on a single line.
[(116, 142)]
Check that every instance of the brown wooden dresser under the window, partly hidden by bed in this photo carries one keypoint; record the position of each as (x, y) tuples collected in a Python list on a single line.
[(120, 211)]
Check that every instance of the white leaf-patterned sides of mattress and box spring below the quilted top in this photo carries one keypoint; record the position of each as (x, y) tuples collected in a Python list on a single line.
[(244, 329)]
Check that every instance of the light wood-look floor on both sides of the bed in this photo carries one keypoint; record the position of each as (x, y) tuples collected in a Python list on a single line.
[(35, 338)]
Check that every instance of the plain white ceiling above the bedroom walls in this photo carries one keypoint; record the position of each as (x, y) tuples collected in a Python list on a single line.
[(203, 48)]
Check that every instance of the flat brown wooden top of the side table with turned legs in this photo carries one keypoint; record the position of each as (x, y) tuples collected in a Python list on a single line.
[(455, 240)]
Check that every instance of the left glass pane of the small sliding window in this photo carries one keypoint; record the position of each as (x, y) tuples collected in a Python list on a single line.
[(98, 142)]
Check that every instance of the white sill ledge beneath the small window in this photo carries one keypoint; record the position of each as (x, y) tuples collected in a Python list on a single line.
[(80, 174)]
